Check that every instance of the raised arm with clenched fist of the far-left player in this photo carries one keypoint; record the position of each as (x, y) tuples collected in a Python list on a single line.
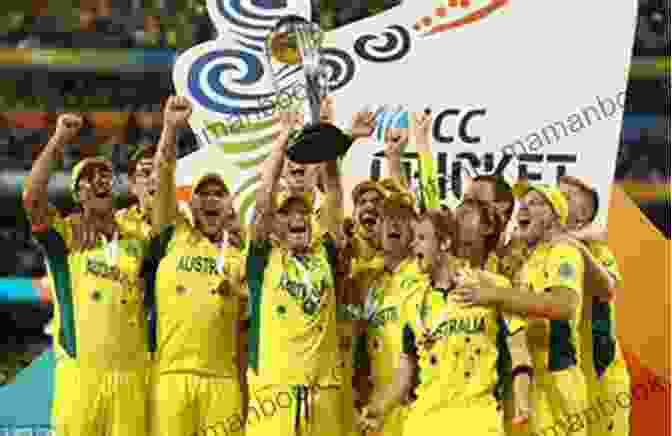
[(35, 192)]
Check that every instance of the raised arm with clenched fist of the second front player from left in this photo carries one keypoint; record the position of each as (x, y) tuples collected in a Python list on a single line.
[(175, 115)]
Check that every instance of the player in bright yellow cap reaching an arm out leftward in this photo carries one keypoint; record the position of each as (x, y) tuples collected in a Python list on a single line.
[(548, 291)]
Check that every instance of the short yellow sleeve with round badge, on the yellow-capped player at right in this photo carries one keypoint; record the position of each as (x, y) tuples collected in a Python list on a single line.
[(564, 268)]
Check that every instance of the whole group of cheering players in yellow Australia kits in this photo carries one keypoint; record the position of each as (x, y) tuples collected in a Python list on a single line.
[(490, 317)]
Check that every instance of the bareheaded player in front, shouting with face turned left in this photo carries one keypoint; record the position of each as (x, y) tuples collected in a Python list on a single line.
[(460, 353)]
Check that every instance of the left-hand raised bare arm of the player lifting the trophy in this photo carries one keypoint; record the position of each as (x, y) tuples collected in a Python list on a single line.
[(263, 226)]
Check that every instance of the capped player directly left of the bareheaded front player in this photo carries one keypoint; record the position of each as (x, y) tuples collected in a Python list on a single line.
[(386, 291)]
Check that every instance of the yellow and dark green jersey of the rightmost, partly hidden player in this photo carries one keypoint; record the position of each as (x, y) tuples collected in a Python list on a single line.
[(606, 350)]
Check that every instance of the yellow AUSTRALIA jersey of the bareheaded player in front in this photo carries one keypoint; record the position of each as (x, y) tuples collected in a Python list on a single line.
[(463, 356)]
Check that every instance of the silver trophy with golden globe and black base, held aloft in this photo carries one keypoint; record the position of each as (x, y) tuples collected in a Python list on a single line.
[(296, 41)]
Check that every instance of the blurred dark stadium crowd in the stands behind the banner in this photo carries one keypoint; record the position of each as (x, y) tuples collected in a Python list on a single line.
[(174, 25)]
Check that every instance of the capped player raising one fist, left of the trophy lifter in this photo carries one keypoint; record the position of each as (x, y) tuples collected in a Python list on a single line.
[(196, 299)]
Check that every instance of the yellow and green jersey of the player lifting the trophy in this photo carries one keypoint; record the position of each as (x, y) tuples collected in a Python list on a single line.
[(293, 338)]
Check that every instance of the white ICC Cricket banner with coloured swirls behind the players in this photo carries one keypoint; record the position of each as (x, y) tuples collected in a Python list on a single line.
[(502, 101)]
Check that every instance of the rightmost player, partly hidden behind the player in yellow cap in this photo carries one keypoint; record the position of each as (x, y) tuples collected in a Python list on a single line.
[(604, 364)]
